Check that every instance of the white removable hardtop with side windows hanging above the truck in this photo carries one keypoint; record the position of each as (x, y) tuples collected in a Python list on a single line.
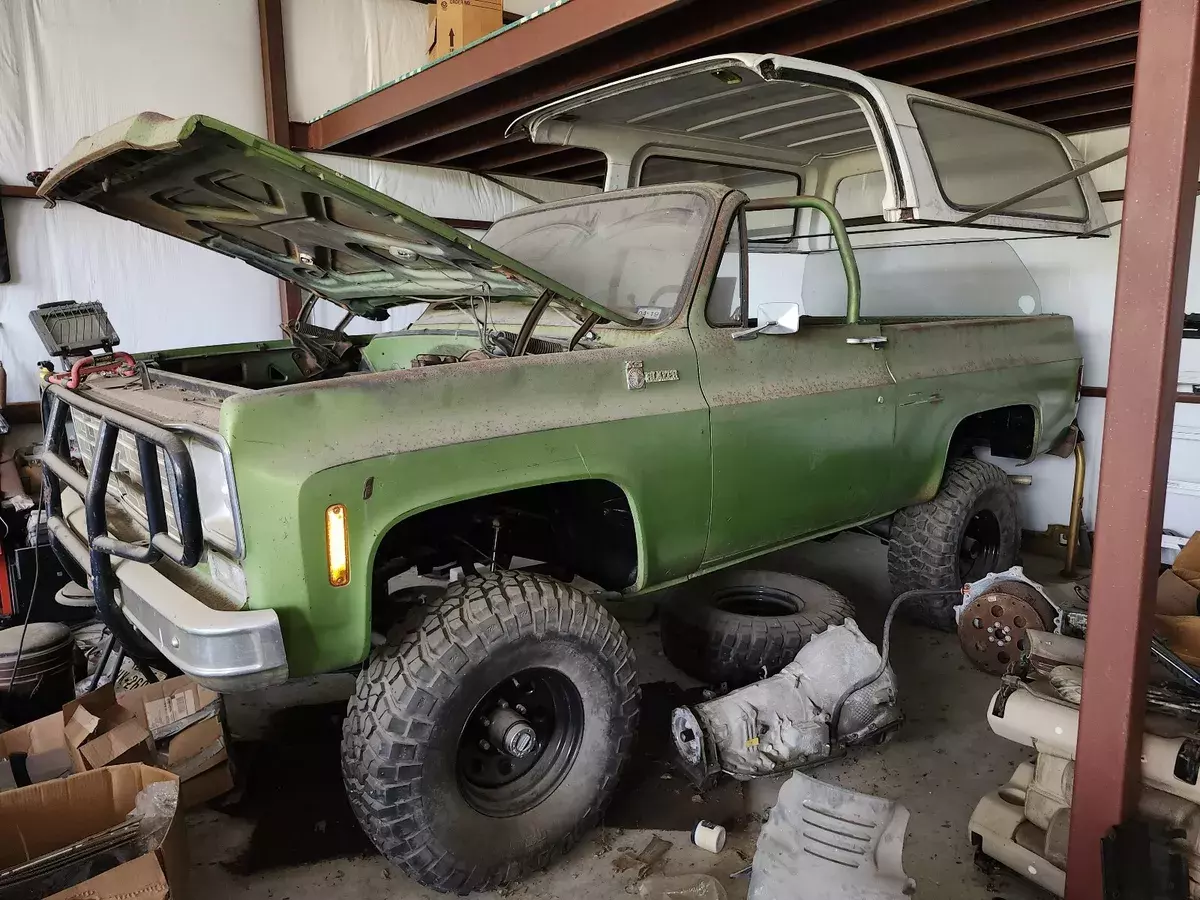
[(777, 125)]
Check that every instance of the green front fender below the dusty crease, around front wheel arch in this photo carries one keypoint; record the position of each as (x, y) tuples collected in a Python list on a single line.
[(328, 628)]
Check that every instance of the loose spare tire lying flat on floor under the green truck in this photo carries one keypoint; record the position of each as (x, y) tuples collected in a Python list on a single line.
[(736, 627)]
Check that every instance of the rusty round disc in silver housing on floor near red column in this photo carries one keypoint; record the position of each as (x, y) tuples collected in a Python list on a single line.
[(997, 615)]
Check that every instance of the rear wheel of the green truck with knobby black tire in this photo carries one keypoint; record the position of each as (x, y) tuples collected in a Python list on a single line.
[(970, 530)]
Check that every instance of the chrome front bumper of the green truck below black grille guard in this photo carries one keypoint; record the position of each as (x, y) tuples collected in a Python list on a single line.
[(223, 650)]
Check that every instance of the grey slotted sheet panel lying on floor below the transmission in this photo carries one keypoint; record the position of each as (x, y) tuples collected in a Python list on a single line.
[(839, 844)]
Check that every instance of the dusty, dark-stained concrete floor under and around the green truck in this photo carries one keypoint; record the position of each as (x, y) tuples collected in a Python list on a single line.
[(290, 836)]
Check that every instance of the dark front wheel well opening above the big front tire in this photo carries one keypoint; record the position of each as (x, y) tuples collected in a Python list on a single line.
[(574, 529)]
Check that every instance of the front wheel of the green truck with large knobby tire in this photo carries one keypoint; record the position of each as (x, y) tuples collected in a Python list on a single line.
[(487, 742)]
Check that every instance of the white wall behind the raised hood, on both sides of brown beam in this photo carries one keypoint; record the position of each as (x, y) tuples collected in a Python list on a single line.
[(71, 68)]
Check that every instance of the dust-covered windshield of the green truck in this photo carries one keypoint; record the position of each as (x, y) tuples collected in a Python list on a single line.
[(633, 255)]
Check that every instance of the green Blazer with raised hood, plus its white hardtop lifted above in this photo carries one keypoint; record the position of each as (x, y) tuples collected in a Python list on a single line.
[(602, 397)]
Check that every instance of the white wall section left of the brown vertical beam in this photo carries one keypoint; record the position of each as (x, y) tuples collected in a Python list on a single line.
[(70, 68)]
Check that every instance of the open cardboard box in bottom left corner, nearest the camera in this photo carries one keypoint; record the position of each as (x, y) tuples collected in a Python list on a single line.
[(46, 818)]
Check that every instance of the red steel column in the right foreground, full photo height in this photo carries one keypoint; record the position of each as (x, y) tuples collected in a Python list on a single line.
[(1156, 243)]
